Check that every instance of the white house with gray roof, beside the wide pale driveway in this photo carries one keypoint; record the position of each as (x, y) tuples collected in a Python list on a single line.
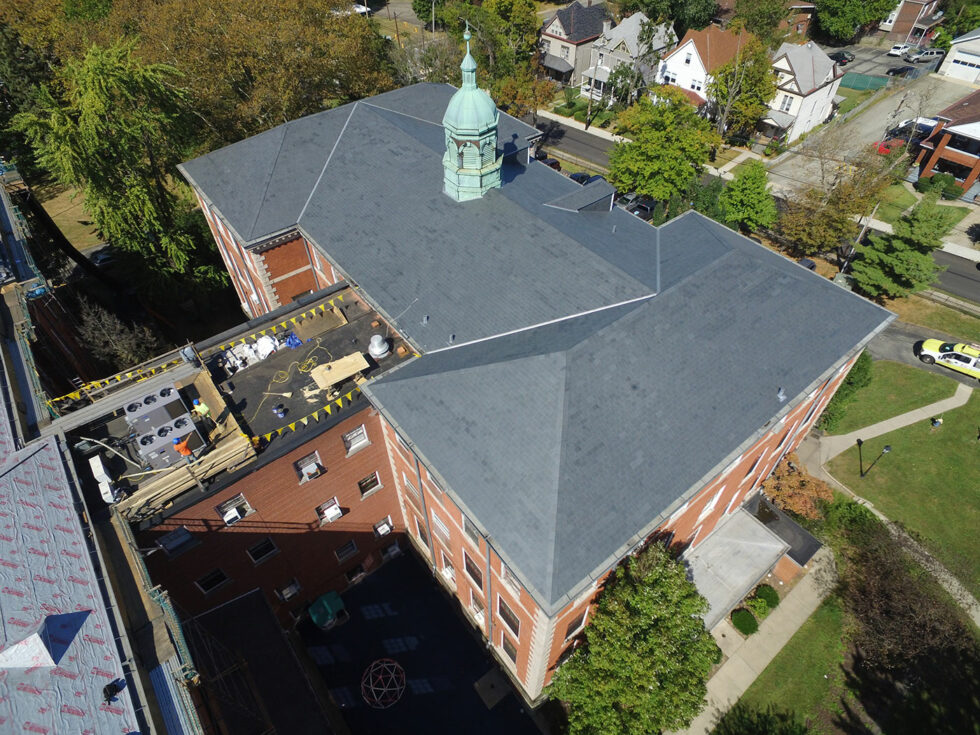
[(807, 83)]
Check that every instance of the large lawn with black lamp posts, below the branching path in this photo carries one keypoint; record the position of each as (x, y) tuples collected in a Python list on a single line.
[(928, 482)]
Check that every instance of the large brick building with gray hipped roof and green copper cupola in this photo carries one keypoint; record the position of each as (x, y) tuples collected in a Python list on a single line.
[(582, 381)]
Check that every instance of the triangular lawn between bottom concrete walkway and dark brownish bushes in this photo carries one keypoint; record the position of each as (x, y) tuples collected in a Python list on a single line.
[(805, 677)]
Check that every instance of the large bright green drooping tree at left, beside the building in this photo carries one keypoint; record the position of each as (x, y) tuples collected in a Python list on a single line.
[(111, 127)]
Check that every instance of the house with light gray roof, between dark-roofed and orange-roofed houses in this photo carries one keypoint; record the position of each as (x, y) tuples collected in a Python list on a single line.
[(621, 45)]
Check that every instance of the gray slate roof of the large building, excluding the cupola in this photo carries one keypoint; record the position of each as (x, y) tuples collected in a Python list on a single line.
[(590, 384)]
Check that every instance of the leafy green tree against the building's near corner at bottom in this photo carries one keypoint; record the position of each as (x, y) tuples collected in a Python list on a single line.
[(645, 661)]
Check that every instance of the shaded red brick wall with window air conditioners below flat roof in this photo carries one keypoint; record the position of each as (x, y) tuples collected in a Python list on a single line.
[(285, 511)]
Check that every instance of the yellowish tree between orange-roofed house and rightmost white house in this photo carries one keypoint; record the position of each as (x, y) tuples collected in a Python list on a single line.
[(741, 89)]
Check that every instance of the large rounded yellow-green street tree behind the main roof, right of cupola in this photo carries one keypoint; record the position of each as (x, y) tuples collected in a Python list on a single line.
[(669, 147)]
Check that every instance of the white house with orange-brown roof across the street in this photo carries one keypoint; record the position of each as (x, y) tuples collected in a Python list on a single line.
[(697, 56)]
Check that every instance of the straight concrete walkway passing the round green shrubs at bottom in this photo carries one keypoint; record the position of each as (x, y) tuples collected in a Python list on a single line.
[(748, 657)]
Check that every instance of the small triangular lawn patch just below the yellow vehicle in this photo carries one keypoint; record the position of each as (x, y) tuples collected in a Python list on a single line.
[(894, 389)]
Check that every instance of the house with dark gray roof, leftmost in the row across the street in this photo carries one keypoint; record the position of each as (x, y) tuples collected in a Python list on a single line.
[(567, 36)]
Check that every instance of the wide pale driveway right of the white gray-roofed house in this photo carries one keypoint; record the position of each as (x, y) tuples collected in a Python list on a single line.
[(798, 169)]
